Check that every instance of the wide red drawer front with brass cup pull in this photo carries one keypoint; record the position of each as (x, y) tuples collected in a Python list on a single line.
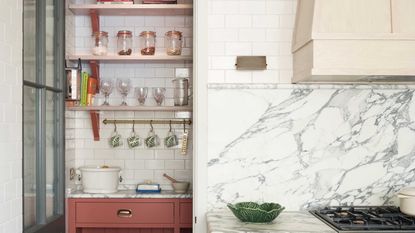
[(133, 213)]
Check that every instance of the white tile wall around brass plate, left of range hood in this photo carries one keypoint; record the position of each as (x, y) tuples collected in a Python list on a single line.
[(250, 27)]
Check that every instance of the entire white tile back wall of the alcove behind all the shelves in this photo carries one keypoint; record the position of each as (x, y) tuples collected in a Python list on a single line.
[(139, 164)]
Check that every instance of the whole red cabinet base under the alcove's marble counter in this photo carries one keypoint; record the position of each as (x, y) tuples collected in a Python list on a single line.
[(113, 215)]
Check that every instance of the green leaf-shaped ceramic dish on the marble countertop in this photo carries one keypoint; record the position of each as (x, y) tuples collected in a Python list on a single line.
[(256, 213)]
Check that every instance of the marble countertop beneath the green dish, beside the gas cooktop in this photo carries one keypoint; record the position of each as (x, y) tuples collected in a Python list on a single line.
[(223, 221)]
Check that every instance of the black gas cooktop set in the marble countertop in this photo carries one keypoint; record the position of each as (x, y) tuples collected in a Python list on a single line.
[(383, 219)]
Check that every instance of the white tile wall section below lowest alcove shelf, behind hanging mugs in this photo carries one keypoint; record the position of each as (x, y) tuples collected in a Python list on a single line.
[(139, 164)]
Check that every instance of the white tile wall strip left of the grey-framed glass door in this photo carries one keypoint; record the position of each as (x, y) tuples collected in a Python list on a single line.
[(11, 116)]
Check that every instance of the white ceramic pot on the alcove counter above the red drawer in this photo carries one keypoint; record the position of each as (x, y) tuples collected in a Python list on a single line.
[(100, 179)]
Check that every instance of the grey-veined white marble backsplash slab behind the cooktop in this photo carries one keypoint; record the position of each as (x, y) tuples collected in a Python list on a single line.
[(310, 147)]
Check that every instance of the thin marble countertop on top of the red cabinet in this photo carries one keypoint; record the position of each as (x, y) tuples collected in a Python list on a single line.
[(127, 194)]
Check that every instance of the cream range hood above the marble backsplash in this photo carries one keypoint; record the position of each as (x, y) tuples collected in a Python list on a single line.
[(354, 41)]
